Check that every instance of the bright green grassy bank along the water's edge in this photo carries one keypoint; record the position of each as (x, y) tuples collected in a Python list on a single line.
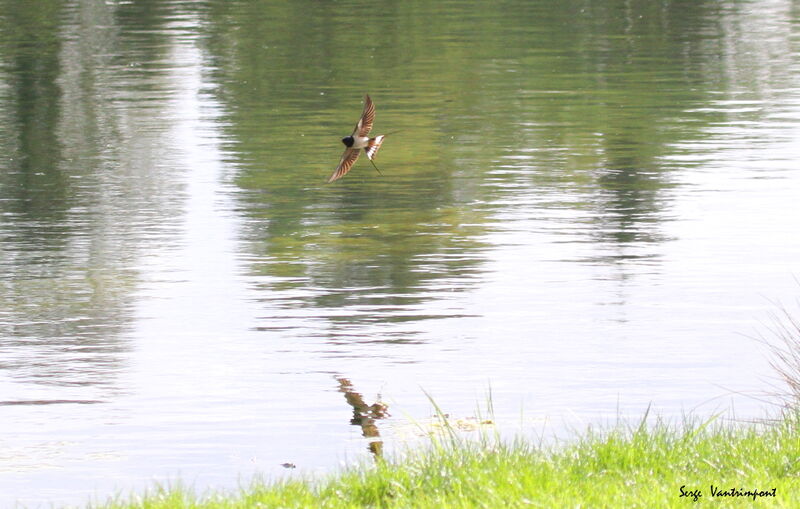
[(643, 467)]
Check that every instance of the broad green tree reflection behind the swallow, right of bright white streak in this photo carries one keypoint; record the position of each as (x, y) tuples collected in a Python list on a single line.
[(514, 109)]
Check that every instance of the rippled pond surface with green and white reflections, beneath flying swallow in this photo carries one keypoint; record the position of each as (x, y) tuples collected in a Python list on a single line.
[(586, 208)]
